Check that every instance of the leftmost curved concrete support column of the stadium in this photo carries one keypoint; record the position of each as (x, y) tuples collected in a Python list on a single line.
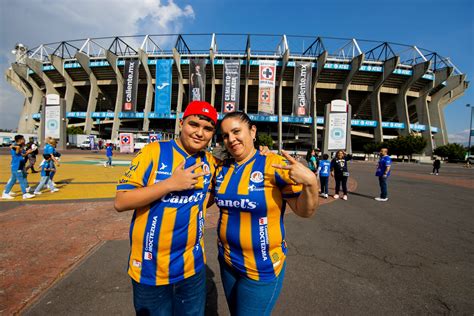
[(32, 102)]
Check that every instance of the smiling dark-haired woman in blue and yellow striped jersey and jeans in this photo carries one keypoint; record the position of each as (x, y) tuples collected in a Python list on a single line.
[(251, 191)]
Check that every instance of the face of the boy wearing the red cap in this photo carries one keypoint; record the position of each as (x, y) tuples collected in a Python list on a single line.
[(195, 133)]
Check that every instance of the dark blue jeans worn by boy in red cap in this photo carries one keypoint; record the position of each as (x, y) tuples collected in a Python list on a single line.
[(186, 297)]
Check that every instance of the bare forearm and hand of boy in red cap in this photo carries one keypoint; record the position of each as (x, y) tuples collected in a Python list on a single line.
[(182, 179)]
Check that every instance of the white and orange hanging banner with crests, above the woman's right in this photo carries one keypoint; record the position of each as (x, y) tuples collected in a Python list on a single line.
[(266, 87)]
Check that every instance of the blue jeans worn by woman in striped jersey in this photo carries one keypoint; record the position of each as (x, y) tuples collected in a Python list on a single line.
[(249, 297)]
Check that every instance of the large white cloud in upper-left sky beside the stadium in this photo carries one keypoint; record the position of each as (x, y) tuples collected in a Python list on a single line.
[(34, 22)]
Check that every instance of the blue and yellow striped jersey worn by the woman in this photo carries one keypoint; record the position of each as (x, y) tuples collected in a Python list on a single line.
[(250, 196)]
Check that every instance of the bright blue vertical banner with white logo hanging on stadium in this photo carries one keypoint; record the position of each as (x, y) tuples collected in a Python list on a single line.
[(163, 86)]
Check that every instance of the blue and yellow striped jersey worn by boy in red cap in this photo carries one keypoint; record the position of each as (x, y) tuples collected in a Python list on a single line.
[(166, 237)]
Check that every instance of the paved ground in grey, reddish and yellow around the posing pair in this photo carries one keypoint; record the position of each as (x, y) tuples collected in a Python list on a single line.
[(411, 255)]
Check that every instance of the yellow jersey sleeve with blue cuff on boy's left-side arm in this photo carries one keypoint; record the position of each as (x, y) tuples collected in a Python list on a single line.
[(138, 173)]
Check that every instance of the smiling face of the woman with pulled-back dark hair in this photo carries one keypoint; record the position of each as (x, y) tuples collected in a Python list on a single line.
[(238, 138)]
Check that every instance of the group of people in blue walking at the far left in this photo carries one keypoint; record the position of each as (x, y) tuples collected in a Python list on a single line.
[(23, 153)]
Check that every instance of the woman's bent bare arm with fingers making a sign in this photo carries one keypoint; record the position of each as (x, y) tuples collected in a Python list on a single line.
[(306, 203)]
